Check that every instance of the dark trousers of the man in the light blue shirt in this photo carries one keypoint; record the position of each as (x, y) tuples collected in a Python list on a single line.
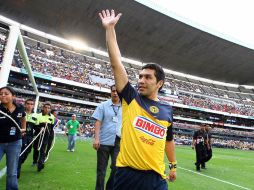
[(103, 154)]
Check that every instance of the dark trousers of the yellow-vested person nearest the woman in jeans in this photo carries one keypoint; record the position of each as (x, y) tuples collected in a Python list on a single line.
[(26, 140)]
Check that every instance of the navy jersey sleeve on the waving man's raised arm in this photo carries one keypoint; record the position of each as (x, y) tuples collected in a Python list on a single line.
[(128, 93)]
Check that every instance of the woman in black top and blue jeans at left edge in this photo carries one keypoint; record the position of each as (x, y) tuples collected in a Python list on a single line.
[(12, 125)]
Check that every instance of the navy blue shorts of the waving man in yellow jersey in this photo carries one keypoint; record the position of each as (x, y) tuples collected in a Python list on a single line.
[(127, 178)]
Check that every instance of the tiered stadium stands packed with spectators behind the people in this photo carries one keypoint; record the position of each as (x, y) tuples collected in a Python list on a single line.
[(68, 79)]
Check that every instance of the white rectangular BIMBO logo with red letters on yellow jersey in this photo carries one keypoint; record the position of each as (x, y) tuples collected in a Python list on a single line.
[(149, 127)]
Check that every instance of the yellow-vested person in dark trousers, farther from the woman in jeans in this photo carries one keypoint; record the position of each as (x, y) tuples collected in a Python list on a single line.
[(46, 121)]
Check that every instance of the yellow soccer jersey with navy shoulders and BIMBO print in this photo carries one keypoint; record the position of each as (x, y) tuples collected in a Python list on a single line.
[(146, 125)]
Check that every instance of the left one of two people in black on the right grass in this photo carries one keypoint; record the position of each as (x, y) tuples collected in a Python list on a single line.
[(198, 144)]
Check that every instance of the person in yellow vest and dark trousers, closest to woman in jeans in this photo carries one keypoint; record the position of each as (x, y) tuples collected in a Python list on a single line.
[(28, 137)]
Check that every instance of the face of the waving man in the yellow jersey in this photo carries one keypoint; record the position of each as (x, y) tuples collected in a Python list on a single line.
[(147, 83)]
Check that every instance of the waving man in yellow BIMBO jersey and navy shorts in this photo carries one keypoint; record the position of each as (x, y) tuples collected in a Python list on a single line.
[(146, 122)]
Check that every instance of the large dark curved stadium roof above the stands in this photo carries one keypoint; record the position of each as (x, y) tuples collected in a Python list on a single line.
[(143, 34)]
